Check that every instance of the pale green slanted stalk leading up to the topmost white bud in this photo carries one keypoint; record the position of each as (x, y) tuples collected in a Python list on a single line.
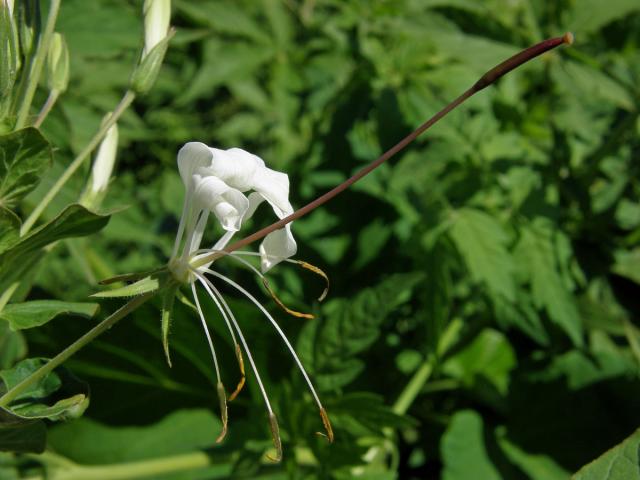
[(126, 100)]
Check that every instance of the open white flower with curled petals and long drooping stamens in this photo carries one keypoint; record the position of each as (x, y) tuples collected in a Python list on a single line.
[(217, 182)]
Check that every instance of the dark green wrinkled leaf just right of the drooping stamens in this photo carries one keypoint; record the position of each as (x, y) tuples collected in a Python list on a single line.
[(350, 327)]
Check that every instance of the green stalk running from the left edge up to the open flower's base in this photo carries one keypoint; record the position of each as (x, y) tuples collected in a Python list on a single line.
[(99, 329)]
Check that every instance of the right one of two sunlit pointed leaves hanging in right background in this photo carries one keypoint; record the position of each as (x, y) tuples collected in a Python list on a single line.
[(536, 253)]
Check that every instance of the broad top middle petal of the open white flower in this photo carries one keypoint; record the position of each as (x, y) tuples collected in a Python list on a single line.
[(235, 167)]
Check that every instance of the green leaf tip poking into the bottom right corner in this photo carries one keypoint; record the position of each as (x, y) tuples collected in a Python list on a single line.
[(622, 462)]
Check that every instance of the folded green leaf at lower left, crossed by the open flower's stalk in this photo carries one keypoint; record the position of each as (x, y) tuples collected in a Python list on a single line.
[(57, 396)]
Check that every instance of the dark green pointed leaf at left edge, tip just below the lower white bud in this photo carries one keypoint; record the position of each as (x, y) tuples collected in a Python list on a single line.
[(74, 221)]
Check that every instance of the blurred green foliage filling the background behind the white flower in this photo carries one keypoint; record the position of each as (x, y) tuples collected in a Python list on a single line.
[(483, 314)]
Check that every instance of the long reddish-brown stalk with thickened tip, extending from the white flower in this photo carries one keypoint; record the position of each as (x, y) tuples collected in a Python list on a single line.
[(487, 79)]
